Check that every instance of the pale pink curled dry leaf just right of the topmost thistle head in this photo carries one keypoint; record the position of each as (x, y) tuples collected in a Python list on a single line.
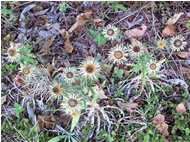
[(137, 33)]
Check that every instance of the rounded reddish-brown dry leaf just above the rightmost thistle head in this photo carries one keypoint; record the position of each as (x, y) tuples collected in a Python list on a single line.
[(169, 30)]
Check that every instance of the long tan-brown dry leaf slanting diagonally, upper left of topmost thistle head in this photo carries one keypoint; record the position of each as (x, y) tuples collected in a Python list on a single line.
[(80, 20)]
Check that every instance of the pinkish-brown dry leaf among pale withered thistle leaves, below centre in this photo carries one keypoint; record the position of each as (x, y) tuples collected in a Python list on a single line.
[(130, 106)]
